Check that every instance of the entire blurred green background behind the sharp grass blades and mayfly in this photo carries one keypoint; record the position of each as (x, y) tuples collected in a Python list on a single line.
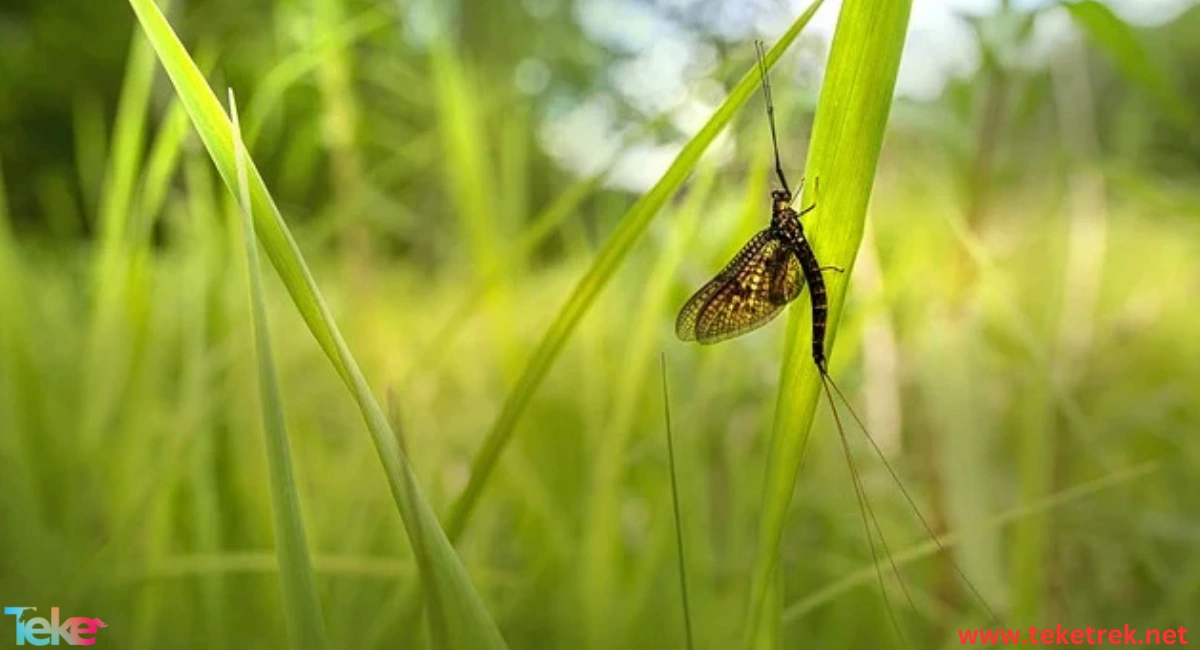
[(1021, 335)]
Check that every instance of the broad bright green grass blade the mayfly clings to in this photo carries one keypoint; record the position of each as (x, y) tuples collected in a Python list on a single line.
[(848, 135)]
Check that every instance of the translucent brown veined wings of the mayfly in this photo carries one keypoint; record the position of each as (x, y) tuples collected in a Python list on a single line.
[(746, 296)]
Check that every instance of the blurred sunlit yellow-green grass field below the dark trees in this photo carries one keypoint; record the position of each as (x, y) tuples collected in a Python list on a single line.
[(1031, 377)]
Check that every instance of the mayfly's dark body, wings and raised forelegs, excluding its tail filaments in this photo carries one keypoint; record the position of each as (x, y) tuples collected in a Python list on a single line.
[(770, 272)]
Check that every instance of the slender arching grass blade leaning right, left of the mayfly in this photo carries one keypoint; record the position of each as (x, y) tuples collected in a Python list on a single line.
[(607, 263)]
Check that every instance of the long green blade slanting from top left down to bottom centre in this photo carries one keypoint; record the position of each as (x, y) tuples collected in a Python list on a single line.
[(470, 627)]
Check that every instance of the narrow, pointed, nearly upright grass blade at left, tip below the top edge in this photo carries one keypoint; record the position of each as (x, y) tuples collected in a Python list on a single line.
[(307, 627)]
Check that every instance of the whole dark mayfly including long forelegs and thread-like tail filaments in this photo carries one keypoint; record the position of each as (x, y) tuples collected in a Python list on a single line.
[(766, 275)]
